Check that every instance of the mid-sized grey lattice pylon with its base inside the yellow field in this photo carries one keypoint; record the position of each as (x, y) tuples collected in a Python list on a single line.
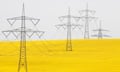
[(69, 26)]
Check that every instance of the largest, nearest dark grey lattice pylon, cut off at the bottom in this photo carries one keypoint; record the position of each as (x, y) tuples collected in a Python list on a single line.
[(23, 32)]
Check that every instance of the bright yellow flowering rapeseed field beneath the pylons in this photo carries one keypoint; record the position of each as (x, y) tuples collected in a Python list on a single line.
[(51, 56)]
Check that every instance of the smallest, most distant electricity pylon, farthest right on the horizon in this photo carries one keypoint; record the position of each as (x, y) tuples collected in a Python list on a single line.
[(100, 34)]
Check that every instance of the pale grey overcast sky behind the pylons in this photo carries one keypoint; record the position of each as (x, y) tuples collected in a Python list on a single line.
[(48, 12)]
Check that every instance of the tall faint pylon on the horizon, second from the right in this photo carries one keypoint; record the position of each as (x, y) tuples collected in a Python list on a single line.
[(87, 17)]
